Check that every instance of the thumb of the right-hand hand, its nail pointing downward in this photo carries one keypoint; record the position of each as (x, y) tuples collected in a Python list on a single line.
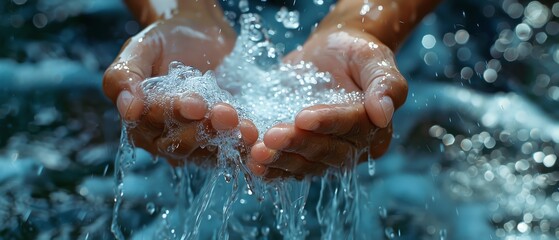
[(385, 88)]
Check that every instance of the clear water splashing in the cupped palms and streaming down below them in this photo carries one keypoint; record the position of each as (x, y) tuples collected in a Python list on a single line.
[(271, 92)]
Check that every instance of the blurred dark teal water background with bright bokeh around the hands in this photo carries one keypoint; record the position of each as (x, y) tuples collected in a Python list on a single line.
[(474, 153)]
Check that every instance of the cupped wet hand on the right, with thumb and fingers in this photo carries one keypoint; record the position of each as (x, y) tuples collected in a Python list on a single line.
[(327, 135)]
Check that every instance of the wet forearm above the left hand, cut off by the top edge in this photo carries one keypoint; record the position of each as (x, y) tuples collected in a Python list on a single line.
[(149, 11)]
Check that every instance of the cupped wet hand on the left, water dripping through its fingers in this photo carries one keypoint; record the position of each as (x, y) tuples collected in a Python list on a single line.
[(200, 39)]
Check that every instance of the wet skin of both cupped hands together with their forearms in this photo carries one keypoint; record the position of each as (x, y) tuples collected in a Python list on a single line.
[(322, 136)]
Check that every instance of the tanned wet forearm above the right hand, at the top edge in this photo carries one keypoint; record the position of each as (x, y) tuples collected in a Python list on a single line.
[(388, 20)]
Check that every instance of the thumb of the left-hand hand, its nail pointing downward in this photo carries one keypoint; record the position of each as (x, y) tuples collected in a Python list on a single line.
[(133, 64)]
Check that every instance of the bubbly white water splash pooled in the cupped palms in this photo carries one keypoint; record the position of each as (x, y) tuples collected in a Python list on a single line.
[(253, 80)]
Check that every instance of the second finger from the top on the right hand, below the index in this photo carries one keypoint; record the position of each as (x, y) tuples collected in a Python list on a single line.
[(312, 146)]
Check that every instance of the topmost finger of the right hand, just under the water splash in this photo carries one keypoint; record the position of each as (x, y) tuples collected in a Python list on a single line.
[(341, 120)]
